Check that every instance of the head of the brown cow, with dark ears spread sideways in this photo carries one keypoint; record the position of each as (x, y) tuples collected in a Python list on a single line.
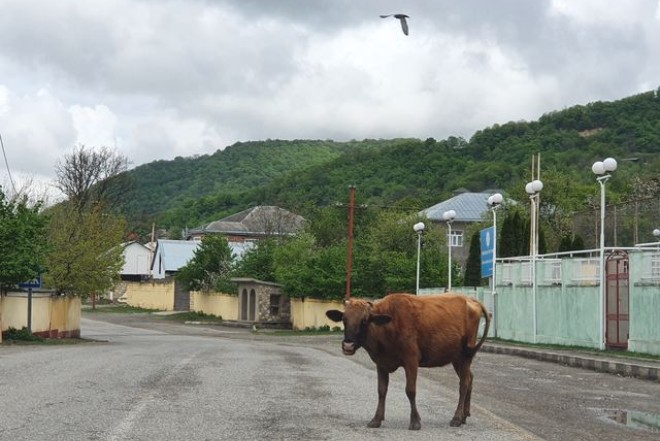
[(357, 317)]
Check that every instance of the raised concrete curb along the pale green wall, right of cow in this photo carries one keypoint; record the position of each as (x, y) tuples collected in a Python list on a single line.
[(623, 368)]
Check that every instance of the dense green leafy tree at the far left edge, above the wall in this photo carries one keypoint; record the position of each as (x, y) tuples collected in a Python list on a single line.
[(22, 241)]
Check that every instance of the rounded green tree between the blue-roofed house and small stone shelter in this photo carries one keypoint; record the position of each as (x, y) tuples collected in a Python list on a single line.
[(211, 267)]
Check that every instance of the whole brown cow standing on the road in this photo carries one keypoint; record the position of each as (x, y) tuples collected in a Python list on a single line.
[(410, 331)]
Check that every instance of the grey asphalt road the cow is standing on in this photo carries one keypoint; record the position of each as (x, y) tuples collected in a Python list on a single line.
[(148, 379)]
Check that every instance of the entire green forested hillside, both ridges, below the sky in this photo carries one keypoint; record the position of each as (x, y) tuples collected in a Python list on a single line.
[(299, 174)]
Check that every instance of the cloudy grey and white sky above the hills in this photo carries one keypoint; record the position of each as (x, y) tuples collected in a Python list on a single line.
[(157, 79)]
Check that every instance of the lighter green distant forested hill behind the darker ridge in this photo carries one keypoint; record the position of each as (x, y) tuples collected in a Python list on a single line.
[(165, 185)]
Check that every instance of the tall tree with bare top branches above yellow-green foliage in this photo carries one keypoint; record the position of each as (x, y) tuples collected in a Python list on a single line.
[(84, 234)]
